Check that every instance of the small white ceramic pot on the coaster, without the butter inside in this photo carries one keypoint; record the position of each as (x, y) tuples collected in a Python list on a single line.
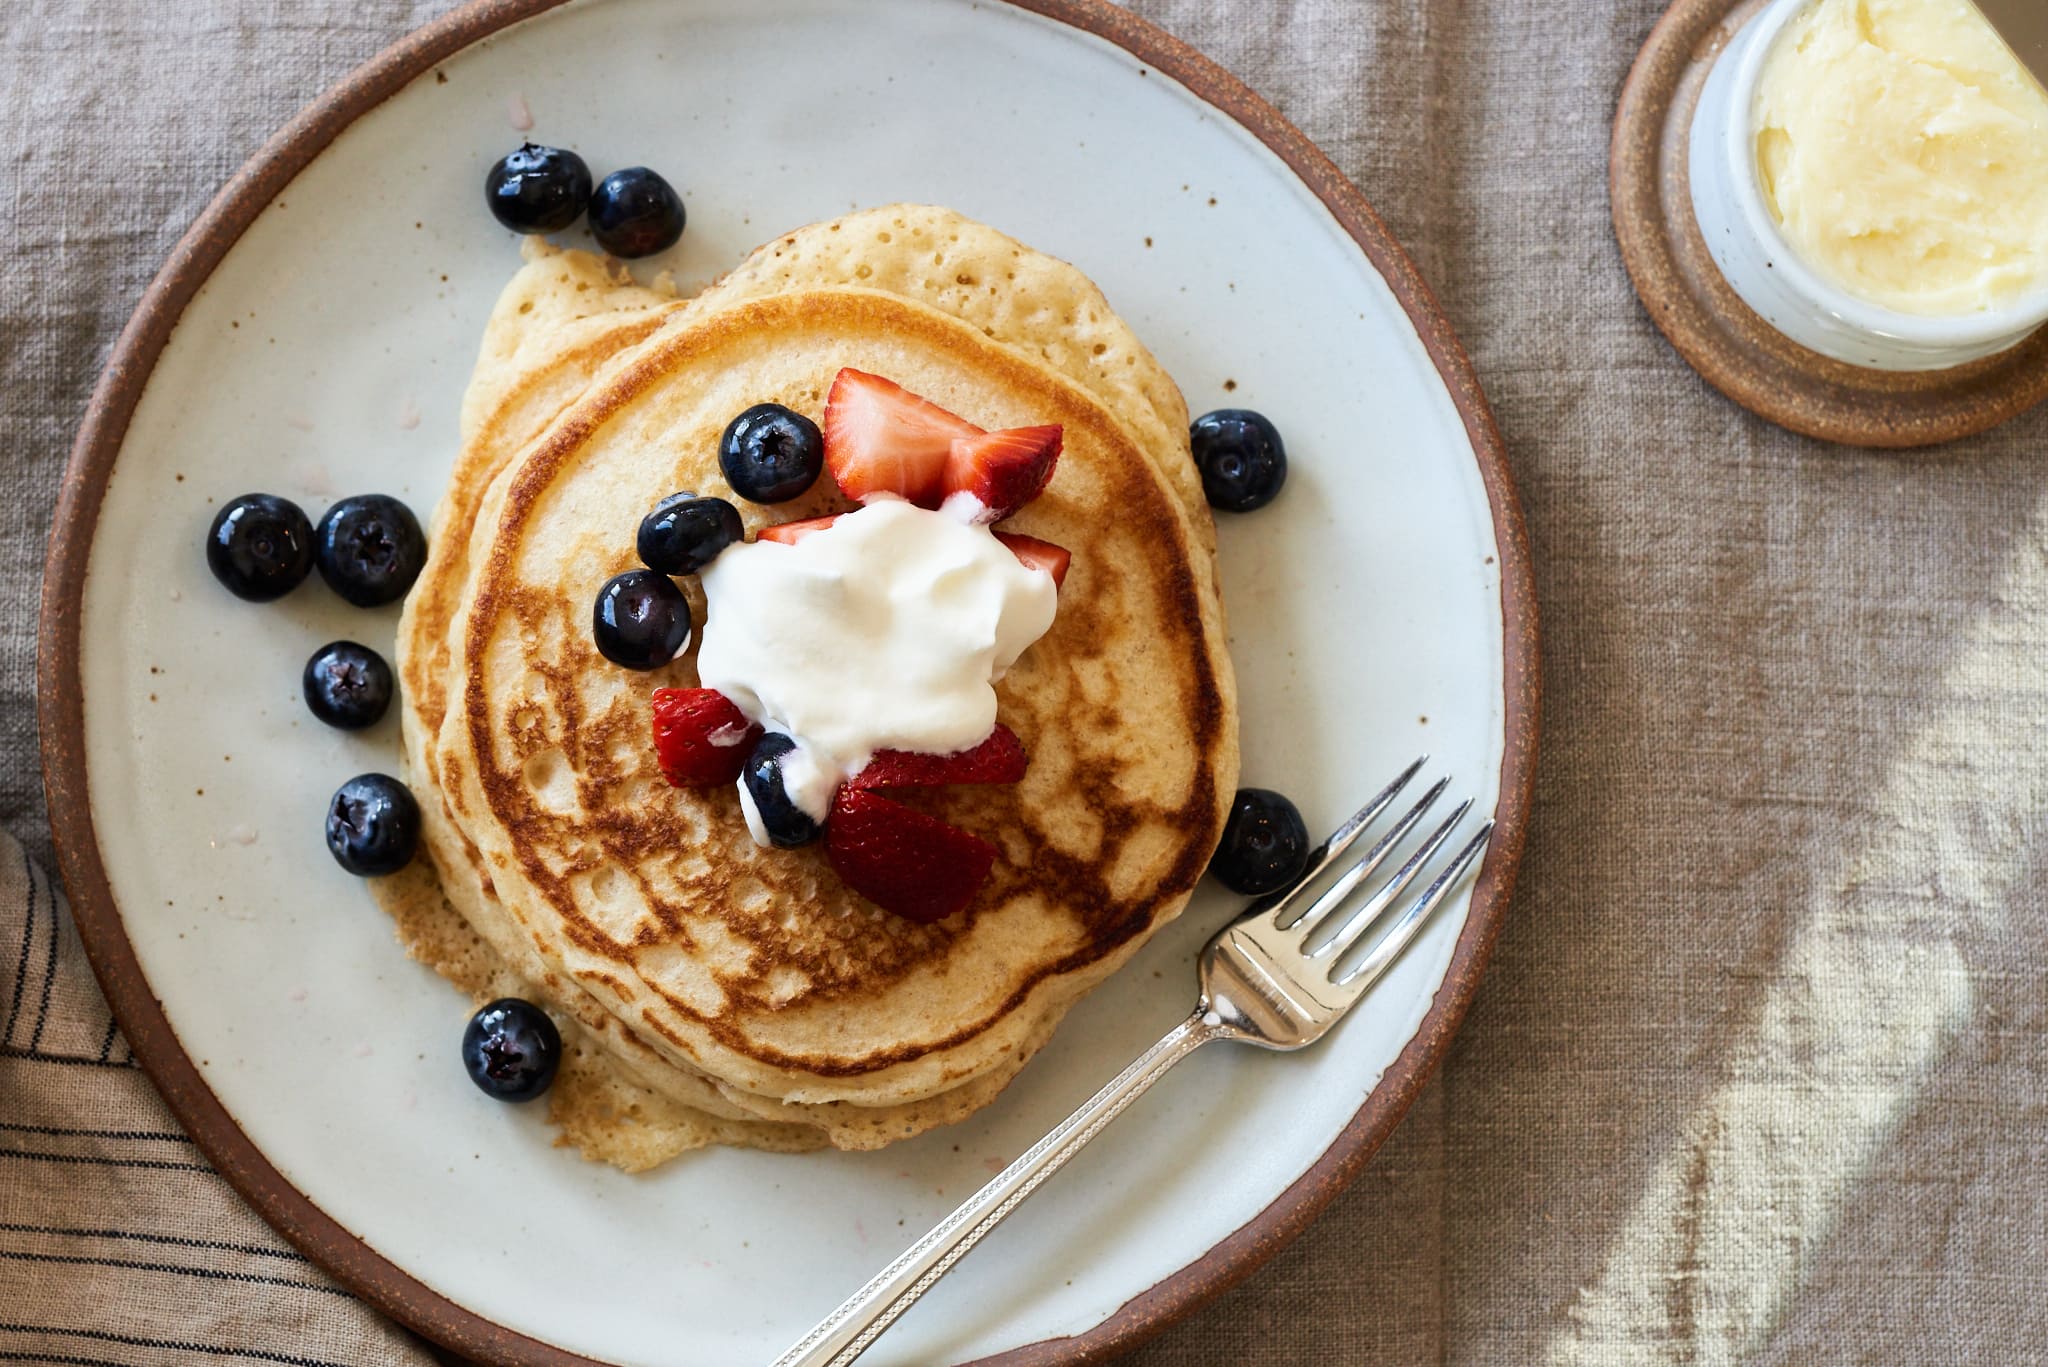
[(1766, 272)]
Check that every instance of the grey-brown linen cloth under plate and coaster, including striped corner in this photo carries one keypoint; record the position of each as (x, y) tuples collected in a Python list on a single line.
[(1760, 1071)]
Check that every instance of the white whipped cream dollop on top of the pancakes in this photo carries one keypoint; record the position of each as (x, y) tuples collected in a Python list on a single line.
[(882, 632)]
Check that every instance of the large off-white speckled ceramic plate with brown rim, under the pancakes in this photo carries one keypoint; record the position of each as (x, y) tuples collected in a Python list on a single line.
[(312, 339)]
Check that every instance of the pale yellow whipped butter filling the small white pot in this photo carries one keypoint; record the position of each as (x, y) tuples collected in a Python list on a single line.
[(1904, 153)]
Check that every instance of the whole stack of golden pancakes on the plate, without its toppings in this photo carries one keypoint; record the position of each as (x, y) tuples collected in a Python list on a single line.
[(722, 993)]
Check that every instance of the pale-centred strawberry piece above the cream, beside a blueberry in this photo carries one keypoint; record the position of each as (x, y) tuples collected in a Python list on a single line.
[(884, 440)]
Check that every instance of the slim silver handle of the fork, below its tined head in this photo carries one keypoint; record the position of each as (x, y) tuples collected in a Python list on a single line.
[(849, 1331)]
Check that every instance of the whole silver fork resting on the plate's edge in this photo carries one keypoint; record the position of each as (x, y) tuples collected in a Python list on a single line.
[(1275, 979)]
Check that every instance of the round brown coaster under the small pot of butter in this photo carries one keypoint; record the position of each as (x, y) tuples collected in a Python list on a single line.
[(1715, 331)]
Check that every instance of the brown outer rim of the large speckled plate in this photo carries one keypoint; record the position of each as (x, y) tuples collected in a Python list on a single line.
[(60, 702)]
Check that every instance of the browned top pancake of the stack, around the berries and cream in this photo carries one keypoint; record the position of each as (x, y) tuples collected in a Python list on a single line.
[(658, 903)]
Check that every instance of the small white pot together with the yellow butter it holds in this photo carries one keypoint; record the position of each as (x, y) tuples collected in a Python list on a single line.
[(1873, 179)]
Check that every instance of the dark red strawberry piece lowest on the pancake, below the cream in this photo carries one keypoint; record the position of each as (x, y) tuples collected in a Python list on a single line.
[(904, 862)]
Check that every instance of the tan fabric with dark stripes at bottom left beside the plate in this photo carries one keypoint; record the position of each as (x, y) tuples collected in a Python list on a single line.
[(118, 1241)]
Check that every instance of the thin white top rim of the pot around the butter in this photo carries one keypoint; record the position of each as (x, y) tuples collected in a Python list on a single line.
[(1924, 331)]
